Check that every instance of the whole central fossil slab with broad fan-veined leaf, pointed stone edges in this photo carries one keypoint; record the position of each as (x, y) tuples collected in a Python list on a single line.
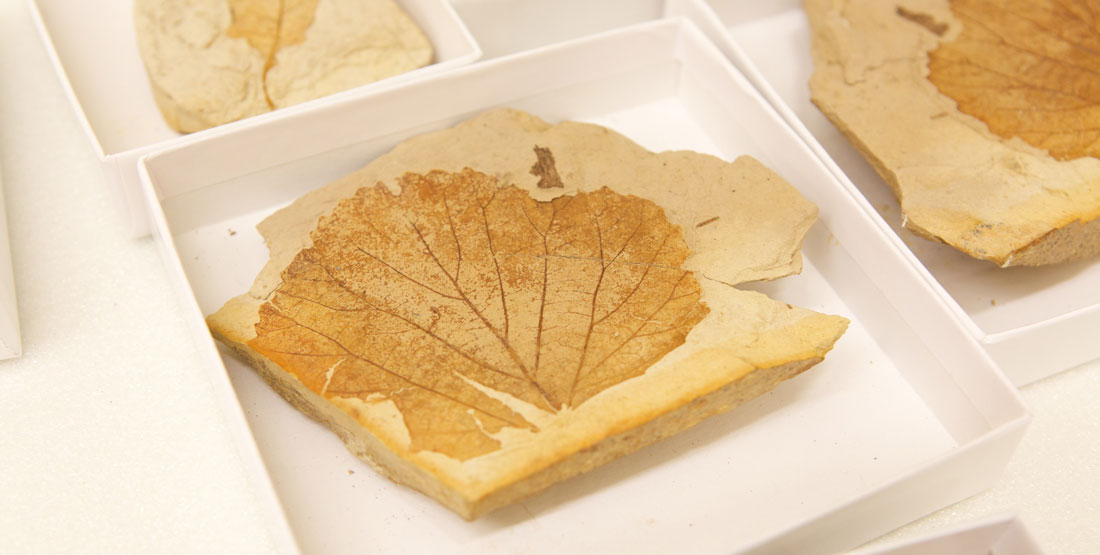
[(481, 335)]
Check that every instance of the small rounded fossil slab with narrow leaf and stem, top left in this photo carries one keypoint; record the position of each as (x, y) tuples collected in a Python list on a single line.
[(213, 62)]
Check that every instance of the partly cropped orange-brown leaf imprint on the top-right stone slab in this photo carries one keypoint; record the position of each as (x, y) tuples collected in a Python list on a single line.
[(1028, 69)]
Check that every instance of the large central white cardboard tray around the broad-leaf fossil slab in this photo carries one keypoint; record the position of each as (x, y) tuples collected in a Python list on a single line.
[(908, 415)]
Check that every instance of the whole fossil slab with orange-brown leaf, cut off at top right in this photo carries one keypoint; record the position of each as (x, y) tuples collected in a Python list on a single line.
[(984, 116)]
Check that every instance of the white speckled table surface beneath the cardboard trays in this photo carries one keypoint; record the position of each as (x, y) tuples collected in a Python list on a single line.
[(111, 440)]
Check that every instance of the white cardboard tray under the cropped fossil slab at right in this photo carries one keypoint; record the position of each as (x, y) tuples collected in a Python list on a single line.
[(1033, 321)]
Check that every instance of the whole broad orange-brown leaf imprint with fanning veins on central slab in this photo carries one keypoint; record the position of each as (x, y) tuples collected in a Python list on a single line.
[(457, 295)]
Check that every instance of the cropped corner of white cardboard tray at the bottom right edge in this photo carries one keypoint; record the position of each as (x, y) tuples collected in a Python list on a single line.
[(1005, 535)]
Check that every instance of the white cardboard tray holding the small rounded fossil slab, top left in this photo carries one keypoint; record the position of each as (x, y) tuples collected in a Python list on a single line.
[(95, 53)]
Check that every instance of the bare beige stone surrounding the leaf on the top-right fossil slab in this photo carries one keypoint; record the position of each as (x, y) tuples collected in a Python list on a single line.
[(995, 198)]
